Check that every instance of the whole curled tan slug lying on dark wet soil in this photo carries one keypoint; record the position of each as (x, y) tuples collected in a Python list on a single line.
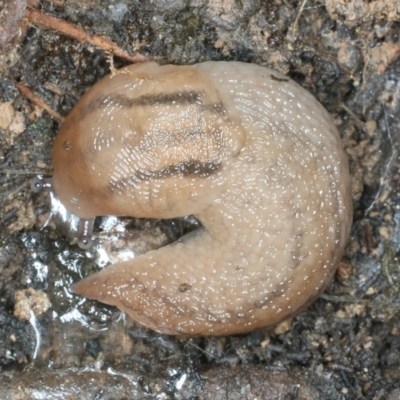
[(249, 153)]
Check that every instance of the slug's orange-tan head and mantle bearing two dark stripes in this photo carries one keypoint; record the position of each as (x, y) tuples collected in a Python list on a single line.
[(151, 141)]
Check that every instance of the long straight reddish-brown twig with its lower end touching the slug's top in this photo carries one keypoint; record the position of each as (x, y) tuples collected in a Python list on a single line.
[(38, 18)]
